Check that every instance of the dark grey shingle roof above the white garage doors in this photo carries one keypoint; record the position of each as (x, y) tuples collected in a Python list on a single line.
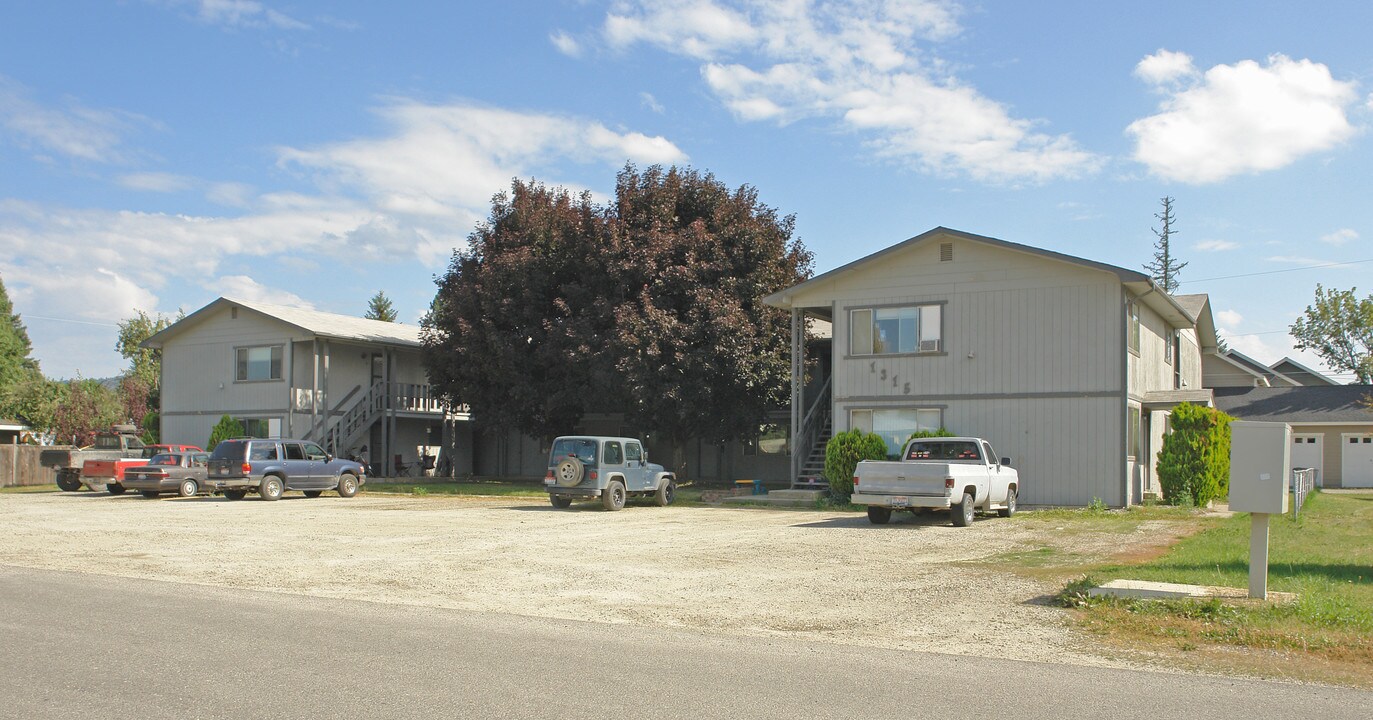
[(1334, 403)]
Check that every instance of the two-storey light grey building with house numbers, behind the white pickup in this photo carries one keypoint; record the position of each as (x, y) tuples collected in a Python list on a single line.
[(1068, 366)]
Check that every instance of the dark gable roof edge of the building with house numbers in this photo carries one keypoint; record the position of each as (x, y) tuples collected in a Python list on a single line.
[(1146, 289)]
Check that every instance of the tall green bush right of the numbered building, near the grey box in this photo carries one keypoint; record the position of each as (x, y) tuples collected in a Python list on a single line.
[(1195, 462)]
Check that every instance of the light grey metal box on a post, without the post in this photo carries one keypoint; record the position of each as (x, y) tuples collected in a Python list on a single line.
[(1260, 454)]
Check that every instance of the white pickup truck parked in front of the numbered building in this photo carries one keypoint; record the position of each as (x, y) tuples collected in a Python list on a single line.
[(958, 473)]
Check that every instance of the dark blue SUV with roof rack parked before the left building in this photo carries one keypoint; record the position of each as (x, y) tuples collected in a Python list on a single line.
[(273, 466)]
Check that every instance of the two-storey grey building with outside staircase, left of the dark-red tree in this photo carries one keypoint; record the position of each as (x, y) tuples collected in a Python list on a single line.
[(282, 372)]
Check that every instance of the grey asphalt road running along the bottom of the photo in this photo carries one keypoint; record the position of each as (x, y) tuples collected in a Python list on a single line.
[(94, 646)]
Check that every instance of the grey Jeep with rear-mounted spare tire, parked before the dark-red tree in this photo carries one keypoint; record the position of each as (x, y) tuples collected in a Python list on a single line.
[(608, 468)]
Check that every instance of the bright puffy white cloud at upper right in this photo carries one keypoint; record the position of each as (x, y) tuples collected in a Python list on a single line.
[(1243, 119)]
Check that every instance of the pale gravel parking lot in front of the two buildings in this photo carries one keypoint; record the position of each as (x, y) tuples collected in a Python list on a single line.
[(759, 572)]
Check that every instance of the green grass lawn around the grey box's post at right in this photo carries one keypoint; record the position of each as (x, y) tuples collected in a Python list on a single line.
[(1326, 559)]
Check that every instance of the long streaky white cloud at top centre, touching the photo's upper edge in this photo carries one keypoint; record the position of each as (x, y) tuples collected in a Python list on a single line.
[(862, 64)]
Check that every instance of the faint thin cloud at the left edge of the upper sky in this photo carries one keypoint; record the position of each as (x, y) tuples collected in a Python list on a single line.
[(75, 131)]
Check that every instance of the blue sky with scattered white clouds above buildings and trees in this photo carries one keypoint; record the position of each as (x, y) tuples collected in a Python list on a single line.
[(157, 155)]
